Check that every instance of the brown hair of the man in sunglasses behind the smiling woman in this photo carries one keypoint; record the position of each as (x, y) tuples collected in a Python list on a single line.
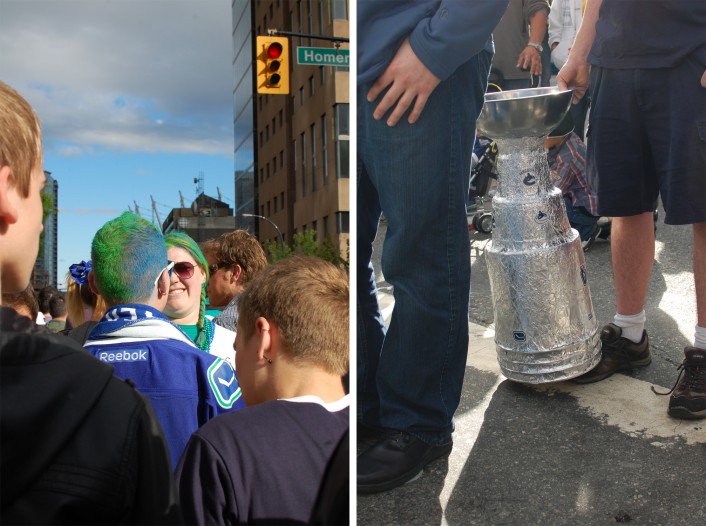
[(238, 248)]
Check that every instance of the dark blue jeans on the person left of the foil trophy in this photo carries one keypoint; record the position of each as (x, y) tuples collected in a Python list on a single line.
[(410, 377)]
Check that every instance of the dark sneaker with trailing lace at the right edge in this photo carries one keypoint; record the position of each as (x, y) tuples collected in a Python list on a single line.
[(688, 398)]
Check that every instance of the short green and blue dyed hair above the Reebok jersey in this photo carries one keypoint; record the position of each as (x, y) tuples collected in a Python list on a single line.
[(128, 253)]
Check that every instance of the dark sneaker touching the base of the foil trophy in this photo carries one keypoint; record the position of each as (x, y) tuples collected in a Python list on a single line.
[(617, 354)]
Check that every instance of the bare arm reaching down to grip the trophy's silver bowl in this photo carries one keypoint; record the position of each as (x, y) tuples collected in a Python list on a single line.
[(575, 72)]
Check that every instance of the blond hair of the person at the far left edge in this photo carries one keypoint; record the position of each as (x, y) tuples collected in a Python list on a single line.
[(20, 138)]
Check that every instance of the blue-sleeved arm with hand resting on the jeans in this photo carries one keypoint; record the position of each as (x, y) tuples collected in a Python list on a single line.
[(434, 49)]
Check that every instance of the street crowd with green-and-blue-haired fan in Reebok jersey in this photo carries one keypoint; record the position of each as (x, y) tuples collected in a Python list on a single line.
[(126, 400)]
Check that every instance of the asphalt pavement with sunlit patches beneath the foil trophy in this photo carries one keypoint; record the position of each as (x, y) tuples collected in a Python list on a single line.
[(561, 453)]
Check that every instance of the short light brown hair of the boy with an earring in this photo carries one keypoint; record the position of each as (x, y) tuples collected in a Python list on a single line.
[(307, 299)]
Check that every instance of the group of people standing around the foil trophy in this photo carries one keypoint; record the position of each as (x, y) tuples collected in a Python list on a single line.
[(640, 65)]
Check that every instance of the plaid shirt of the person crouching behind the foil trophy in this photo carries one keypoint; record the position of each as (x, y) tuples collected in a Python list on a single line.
[(567, 165)]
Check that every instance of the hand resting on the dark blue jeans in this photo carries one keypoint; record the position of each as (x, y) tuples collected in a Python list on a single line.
[(410, 82)]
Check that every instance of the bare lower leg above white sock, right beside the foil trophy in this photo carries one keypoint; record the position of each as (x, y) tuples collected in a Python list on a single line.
[(633, 251)]
